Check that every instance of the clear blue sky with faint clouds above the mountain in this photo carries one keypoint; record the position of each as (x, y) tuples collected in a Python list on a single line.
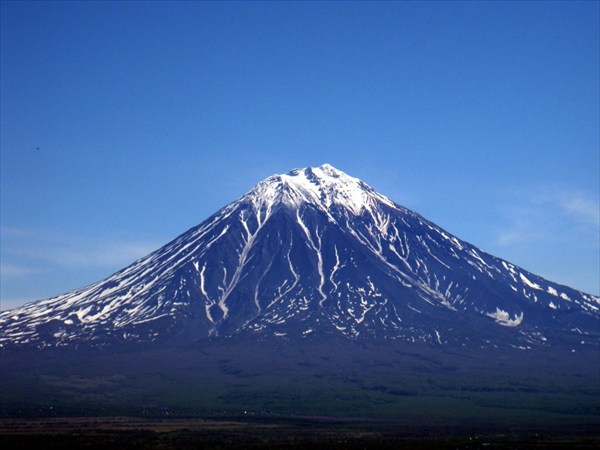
[(125, 124)]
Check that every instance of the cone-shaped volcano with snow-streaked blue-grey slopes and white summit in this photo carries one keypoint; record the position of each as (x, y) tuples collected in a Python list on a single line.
[(314, 252)]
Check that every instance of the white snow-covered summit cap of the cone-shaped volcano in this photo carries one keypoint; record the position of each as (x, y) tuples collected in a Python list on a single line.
[(322, 187)]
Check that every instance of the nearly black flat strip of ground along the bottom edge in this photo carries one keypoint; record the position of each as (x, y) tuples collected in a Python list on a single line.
[(273, 432)]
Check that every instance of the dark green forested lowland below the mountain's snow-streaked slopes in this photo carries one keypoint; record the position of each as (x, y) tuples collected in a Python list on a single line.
[(297, 392)]
